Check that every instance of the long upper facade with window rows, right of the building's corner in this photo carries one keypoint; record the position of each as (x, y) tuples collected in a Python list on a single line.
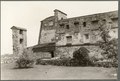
[(77, 29)]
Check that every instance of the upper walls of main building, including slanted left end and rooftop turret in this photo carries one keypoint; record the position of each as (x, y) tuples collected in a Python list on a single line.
[(83, 29)]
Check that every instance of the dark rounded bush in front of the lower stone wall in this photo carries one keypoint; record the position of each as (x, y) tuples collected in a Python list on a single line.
[(81, 57)]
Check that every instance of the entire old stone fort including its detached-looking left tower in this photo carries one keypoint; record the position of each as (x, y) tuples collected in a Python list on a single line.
[(61, 36)]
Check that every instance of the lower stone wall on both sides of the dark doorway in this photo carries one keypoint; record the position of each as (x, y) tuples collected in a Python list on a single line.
[(67, 51)]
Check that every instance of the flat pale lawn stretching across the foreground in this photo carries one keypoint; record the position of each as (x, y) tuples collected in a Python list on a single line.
[(43, 72)]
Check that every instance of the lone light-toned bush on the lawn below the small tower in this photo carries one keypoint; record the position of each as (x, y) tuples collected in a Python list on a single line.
[(25, 61)]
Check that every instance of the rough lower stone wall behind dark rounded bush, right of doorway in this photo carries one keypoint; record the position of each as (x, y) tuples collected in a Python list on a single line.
[(67, 51)]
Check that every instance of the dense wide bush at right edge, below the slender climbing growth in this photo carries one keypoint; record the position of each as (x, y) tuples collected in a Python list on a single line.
[(110, 52)]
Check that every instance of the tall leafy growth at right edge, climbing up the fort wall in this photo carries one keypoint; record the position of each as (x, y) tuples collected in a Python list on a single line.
[(110, 46)]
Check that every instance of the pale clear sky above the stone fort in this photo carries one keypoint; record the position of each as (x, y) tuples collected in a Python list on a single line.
[(28, 14)]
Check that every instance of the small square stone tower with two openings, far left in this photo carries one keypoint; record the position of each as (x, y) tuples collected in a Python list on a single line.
[(19, 38)]
